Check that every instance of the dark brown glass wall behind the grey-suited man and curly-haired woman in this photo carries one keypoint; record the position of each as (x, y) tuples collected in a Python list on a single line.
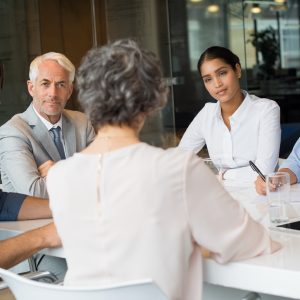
[(31, 27)]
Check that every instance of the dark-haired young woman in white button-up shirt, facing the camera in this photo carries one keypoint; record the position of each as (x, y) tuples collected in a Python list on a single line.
[(239, 127)]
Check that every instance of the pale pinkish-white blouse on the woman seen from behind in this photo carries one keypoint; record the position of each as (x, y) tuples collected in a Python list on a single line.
[(143, 212)]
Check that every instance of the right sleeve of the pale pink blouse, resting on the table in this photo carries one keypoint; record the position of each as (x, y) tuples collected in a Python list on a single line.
[(218, 222)]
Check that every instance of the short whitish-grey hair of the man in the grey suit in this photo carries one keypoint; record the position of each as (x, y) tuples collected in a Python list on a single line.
[(58, 57)]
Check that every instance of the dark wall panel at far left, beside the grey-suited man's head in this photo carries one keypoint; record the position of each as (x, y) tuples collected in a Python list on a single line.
[(19, 41)]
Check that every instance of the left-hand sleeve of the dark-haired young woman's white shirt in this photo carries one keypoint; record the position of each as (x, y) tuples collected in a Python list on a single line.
[(193, 138)]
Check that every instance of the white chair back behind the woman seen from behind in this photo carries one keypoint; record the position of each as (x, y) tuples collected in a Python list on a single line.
[(27, 289)]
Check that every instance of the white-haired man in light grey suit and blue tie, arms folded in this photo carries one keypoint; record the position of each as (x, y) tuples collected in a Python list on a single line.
[(31, 142)]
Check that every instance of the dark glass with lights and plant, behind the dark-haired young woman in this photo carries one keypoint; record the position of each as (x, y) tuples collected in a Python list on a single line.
[(264, 34)]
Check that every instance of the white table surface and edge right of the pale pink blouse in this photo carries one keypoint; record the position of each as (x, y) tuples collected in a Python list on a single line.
[(277, 274)]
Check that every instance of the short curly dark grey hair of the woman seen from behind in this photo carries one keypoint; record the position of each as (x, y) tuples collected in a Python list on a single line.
[(119, 82)]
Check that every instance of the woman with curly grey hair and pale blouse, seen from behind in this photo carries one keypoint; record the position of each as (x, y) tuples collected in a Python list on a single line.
[(139, 211)]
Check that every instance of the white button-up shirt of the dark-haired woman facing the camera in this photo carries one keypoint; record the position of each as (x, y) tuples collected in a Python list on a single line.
[(254, 135)]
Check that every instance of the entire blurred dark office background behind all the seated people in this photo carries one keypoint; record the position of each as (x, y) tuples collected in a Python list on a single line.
[(264, 34)]
